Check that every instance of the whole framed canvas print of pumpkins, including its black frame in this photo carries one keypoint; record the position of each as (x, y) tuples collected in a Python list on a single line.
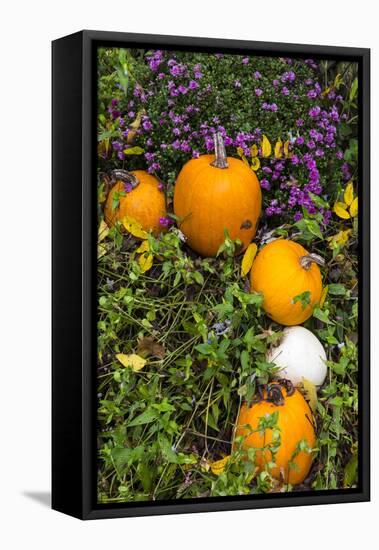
[(210, 274)]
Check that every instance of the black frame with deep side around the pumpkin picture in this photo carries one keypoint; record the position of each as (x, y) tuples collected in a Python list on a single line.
[(74, 275)]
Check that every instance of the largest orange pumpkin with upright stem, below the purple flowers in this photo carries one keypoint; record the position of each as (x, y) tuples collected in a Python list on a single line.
[(214, 193)]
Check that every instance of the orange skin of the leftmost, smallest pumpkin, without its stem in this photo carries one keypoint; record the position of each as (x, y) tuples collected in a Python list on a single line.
[(145, 203)]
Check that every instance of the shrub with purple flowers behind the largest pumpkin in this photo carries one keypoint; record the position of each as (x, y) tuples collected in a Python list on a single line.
[(175, 102)]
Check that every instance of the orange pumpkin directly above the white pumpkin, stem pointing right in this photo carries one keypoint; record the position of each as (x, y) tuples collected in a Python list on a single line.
[(283, 270)]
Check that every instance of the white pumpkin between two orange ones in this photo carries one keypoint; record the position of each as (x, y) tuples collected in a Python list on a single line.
[(299, 355)]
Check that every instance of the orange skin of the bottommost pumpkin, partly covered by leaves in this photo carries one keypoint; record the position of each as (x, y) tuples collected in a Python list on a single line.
[(295, 424)]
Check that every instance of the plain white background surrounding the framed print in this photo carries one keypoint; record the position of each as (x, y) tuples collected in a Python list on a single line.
[(26, 31)]
